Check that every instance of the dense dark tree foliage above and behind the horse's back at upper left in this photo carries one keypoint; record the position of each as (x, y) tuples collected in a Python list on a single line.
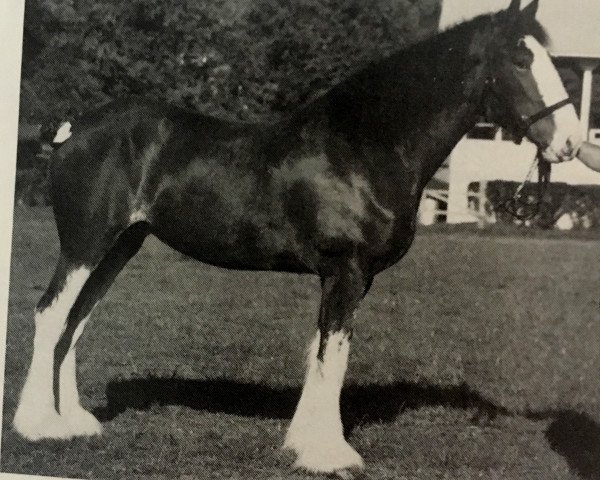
[(232, 57)]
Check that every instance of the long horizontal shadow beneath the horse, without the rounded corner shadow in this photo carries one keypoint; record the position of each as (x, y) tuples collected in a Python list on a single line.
[(361, 404)]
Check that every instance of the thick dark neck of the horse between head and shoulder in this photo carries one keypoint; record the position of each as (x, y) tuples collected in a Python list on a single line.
[(419, 102)]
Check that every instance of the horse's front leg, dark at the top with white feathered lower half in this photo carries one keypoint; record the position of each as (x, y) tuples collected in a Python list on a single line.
[(316, 433)]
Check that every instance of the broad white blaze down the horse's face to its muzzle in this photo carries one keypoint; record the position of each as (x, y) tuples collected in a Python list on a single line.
[(567, 137)]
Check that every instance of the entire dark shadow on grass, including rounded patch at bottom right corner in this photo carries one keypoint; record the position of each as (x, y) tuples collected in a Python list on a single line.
[(575, 436)]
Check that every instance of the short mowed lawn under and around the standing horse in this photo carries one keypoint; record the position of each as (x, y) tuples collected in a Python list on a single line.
[(478, 356)]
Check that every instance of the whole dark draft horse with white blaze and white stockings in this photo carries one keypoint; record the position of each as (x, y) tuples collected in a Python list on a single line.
[(331, 190)]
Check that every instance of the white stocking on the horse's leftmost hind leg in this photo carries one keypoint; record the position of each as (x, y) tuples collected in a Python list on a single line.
[(36, 416)]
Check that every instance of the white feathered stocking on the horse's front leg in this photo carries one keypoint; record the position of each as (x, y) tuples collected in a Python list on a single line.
[(316, 432)]
